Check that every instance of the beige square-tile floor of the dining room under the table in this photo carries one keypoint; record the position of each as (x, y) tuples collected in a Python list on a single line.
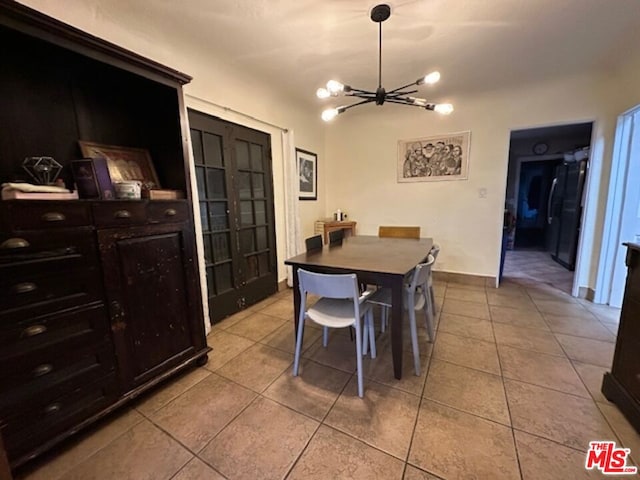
[(510, 389)]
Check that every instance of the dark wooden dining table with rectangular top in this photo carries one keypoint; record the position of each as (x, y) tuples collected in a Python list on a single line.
[(376, 261)]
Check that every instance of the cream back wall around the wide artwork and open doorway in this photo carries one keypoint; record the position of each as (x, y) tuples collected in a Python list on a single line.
[(362, 153)]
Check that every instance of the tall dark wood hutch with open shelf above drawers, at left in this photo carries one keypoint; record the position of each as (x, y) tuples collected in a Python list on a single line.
[(99, 300)]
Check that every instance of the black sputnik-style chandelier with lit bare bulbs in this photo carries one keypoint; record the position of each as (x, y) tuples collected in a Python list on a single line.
[(401, 95)]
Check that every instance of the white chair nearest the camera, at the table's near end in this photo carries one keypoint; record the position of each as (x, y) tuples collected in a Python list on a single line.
[(341, 305)]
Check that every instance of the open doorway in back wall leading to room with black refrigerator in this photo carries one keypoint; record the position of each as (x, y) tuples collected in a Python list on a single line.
[(543, 203)]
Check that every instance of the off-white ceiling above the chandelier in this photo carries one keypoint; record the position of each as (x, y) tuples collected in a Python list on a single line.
[(475, 44)]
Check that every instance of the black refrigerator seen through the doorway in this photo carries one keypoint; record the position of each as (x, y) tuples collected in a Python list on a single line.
[(565, 211)]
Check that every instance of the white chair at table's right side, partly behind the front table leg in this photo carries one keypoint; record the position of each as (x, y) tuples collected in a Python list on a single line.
[(416, 298)]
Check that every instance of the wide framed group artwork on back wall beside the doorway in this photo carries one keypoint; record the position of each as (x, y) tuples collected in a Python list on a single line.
[(440, 157)]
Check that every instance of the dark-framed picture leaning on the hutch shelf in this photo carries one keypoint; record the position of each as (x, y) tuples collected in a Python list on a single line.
[(125, 163)]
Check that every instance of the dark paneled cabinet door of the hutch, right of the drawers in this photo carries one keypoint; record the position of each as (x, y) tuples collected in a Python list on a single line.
[(147, 289)]
